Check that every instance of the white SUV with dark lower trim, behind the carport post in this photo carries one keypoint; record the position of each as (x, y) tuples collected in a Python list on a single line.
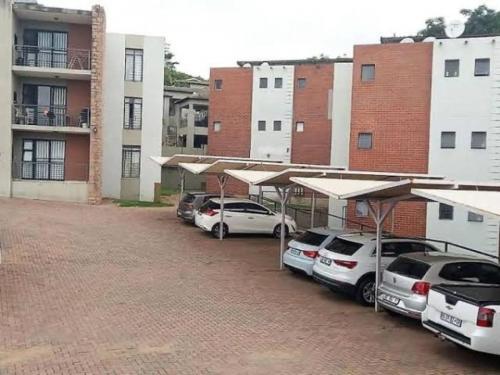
[(348, 263)]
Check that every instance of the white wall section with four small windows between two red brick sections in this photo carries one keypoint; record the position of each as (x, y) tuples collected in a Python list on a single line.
[(268, 105)]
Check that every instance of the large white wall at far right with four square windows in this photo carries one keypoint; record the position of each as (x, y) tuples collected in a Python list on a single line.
[(462, 104)]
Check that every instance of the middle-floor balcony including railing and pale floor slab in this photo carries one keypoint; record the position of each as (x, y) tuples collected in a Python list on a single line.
[(54, 118)]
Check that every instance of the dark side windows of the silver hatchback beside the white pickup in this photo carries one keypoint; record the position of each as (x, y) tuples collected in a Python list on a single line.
[(479, 272)]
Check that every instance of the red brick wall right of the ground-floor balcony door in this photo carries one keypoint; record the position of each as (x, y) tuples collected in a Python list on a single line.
[(77, 157)]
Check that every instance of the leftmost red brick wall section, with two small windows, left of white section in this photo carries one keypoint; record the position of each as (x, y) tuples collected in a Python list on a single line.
[(232, 107)]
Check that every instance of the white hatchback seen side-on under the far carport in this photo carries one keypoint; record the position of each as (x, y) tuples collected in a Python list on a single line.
[(241, 216)]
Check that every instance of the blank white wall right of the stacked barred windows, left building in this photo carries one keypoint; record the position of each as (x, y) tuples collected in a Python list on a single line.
[(152, 115)]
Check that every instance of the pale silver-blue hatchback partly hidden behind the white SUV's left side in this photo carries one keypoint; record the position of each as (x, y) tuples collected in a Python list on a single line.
[(303, 250)]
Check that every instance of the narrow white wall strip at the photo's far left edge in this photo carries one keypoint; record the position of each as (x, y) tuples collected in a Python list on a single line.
[(5, 97)]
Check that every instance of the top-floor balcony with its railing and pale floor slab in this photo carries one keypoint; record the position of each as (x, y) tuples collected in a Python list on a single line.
[(45, 62)]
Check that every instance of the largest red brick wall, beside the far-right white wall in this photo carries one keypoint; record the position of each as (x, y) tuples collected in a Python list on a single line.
[(395, 107)]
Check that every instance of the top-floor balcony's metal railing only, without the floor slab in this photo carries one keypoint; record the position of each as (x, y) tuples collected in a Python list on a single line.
[(44, 57)]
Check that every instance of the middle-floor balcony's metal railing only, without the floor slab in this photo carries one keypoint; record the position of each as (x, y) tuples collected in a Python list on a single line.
[(27, 114)]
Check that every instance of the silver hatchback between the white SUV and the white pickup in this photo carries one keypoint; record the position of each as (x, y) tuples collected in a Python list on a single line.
[(407, 280)]
